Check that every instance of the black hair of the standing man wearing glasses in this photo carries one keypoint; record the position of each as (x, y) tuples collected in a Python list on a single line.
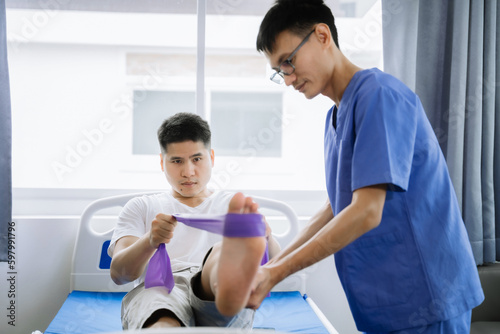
[(297, 16)]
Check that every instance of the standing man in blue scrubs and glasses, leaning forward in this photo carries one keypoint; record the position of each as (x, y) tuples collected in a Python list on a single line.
[(392, 220)]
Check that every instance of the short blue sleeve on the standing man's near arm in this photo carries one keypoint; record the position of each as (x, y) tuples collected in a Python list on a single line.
[(385, 123)]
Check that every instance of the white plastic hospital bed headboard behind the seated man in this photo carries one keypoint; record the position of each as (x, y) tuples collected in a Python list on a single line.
[(90, 266)]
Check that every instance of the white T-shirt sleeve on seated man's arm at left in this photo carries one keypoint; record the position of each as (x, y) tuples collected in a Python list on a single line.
[(131, 222)]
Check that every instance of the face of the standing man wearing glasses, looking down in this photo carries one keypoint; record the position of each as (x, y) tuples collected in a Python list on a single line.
[(306, 79)]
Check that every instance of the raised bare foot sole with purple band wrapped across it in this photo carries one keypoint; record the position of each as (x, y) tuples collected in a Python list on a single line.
[(238, 263)]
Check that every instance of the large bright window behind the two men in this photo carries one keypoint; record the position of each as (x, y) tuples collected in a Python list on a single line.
[(87, 99)]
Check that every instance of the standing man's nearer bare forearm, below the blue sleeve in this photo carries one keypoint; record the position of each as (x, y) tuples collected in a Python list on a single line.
[(355, 220)]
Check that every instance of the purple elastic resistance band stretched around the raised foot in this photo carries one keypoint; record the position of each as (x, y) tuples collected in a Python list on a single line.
[(233, 225)]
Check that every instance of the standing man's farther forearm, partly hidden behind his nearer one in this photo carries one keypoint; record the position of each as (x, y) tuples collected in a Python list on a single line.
[(316, 223)]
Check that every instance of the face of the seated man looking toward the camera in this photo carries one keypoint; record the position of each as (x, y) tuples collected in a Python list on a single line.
[(188, 168)]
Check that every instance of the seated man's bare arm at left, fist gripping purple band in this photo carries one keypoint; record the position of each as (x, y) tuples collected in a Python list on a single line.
[(132, 254)]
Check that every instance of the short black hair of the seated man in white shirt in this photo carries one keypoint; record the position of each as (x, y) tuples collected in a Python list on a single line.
[(184, 127)]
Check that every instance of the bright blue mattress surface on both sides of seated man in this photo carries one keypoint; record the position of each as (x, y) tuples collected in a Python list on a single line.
[(97, 312)]
